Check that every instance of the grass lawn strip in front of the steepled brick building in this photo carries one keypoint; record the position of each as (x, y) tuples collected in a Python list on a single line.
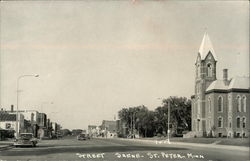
[(221, 141)]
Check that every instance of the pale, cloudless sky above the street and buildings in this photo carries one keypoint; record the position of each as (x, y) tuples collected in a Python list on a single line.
[(96, 57)]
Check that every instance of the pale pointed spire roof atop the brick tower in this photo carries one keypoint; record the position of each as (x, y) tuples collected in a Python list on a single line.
[(205, 47)]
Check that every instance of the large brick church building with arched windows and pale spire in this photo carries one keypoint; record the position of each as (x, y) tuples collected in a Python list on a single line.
[(220, 107)]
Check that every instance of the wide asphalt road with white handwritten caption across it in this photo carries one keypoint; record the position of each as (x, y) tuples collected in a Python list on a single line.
[(119, 150)]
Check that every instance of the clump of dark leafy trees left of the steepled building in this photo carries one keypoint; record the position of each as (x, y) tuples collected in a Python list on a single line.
[(150, 123)]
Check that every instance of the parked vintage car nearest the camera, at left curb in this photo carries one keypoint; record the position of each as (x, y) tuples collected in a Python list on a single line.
[(25, 139)]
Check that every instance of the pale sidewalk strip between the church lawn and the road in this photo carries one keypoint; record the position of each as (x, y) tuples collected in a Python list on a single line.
[(202, 145)]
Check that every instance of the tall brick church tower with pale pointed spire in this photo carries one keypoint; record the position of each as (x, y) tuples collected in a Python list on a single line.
[(205, 67)]
